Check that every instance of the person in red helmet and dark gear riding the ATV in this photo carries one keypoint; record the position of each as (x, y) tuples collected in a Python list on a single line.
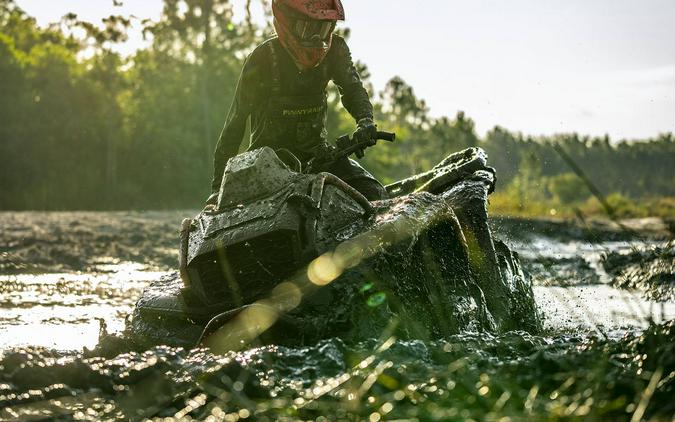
[(282, 88)]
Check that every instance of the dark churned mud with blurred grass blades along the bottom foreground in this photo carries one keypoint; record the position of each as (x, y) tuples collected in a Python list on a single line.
[(469, 376)]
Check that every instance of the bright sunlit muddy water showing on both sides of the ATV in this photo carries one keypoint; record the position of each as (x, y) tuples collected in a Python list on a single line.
[(65, 311)]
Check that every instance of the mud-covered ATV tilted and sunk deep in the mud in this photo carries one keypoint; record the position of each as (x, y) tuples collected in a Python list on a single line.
[(288, 257)]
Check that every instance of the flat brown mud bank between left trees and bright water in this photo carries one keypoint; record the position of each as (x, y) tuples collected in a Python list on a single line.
[(42, 242)]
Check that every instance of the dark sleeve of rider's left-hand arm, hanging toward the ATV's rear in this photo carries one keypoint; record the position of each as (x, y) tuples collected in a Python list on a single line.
[(235, 124)]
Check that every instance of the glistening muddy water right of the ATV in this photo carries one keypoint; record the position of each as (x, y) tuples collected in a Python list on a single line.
[(574, 292)]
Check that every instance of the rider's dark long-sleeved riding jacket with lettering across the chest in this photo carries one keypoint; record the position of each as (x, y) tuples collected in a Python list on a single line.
[(288, 107)]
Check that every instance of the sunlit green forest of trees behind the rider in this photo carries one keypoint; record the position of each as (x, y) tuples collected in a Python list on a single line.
[(83, 127)]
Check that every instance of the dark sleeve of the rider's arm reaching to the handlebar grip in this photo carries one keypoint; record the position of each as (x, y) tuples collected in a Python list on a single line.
[(344, 74)]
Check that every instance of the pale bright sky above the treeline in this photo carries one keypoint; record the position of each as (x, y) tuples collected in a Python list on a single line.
[(536, 66)]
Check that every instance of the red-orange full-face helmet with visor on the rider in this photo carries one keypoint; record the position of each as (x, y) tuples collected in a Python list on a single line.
[(305, 28)]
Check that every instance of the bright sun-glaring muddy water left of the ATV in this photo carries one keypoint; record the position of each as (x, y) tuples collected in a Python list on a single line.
[(65, 311)]
